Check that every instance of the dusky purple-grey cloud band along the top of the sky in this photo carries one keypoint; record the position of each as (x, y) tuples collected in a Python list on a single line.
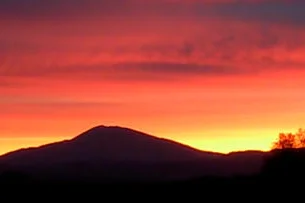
[(291, 12)]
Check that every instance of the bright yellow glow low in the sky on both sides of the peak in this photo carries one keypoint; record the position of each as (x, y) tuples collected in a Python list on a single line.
[(221, 144)]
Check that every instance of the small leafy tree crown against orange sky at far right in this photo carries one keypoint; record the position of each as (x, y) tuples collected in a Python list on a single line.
[(290, 140)]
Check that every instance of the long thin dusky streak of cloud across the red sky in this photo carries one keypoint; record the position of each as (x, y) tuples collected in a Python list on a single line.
[(128, 71)]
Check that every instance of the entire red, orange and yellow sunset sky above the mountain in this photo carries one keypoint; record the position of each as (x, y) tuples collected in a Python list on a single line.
[(218, 75)]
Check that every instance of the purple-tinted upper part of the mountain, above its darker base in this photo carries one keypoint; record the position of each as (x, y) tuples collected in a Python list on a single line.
[(108, 144)]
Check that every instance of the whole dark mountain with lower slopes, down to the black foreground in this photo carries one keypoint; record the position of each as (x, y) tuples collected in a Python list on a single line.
[(116, 153)]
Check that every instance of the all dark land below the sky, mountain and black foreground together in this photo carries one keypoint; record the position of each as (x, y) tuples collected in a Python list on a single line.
[(93, 161)]
